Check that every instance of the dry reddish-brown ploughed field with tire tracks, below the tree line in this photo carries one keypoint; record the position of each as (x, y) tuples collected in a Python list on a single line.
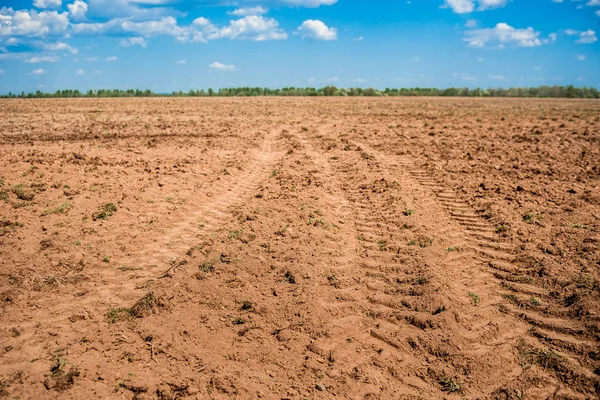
[(300, 248)]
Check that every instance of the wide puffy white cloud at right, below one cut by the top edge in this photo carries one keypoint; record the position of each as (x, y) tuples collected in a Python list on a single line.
[(503, 34)]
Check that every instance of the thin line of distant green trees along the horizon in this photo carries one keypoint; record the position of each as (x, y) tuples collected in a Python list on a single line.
[(540, 91)]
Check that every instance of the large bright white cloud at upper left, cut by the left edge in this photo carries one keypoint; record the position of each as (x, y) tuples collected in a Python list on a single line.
[(32, 23)]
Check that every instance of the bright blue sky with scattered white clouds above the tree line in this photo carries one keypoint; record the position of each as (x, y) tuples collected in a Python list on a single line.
[(167, 45)]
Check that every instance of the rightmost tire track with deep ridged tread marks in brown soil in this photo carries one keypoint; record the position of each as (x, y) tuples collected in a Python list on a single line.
[(576, 355)]
